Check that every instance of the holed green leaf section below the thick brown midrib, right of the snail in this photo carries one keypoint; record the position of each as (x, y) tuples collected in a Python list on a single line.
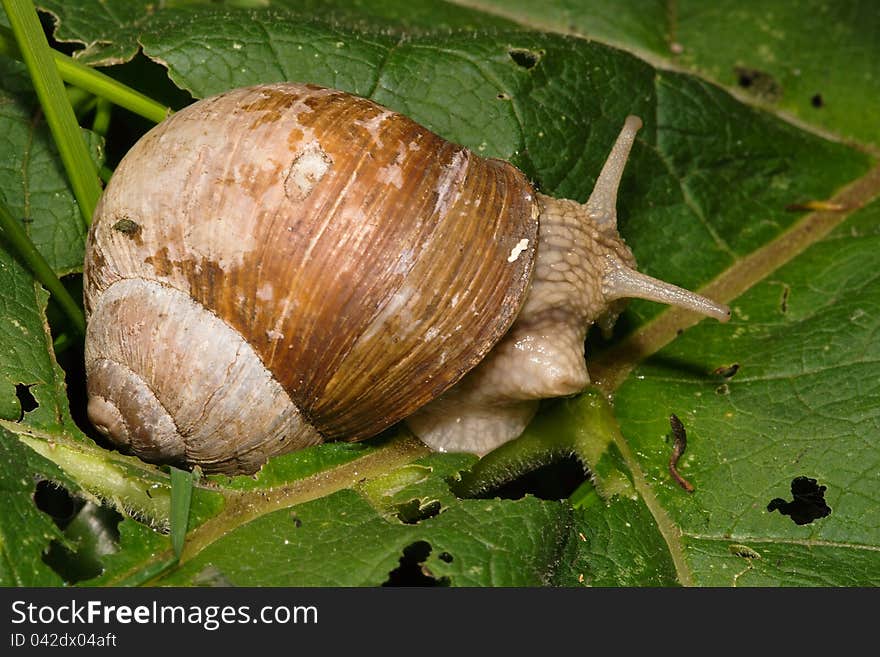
[(804, 402)]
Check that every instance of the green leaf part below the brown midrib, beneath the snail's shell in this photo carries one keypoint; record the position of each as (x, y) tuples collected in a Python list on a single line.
[(342, 541)]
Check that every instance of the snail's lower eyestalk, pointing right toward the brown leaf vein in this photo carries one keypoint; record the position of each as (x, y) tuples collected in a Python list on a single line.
[(621, 282)]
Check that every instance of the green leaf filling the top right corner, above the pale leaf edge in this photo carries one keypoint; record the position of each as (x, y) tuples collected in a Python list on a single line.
[(811, 58)]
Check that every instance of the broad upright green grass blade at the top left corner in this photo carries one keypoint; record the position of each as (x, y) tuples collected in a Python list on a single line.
[(37, 56)]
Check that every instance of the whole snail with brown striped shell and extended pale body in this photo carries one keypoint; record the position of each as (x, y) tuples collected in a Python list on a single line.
[(285, 264)]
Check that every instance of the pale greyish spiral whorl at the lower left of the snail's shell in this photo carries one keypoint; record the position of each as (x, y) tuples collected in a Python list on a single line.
[(155, 362)]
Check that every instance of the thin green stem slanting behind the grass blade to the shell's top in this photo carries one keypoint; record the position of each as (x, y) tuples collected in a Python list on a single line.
[(95, 82)]
